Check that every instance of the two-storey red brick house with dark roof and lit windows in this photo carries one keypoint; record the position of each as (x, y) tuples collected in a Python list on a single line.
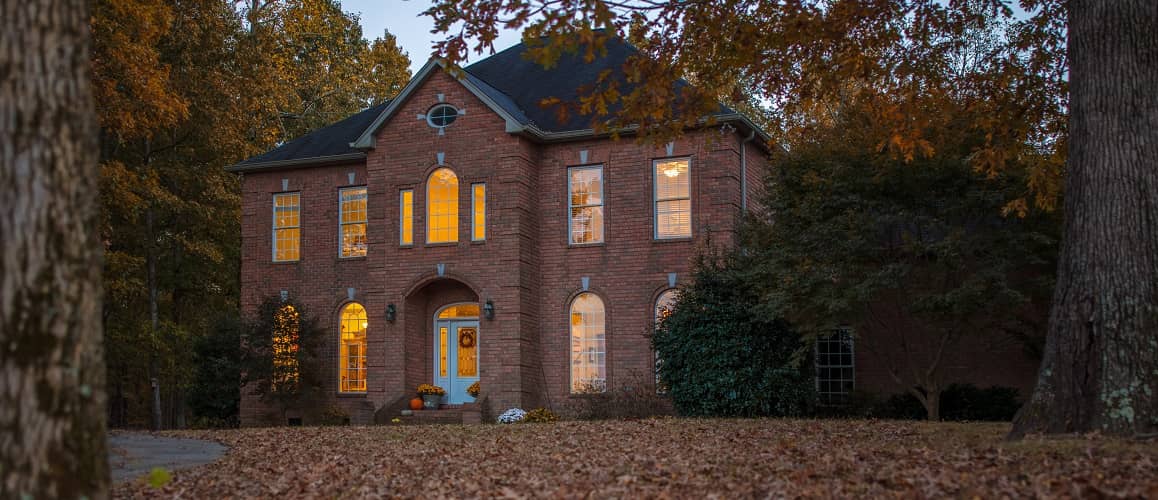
[(460, 233)]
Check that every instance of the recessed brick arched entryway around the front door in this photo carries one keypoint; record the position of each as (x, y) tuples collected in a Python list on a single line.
[(444, 337)]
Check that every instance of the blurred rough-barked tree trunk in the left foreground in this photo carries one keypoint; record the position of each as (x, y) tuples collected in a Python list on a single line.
[(53, 416)]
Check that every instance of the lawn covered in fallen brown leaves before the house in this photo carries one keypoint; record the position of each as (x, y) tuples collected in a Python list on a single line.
[(669, 458)]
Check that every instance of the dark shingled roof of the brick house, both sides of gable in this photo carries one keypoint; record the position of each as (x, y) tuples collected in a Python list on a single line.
[(514, 84)]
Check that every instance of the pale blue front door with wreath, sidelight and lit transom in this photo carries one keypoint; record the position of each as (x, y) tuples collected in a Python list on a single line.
[(457, 358)]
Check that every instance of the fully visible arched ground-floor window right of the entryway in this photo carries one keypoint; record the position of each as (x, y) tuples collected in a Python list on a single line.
[(589, 344)]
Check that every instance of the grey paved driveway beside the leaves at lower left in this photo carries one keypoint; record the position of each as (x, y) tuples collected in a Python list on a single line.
[(133, 454)]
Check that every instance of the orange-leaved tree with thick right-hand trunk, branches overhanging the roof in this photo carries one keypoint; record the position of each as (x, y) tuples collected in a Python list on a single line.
[(801, 57)]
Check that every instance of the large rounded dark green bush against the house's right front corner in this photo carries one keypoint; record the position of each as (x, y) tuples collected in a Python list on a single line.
[(724, 357)]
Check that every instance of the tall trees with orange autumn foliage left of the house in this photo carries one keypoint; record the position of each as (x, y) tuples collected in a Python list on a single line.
[(181, 93)]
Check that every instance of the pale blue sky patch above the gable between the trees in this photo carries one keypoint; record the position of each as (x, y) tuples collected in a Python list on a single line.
[(404, 19)]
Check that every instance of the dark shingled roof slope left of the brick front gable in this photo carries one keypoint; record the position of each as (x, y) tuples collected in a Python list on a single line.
[(332, 141)]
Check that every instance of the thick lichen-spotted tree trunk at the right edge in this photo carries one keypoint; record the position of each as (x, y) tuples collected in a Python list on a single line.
[(1101, 366)]
